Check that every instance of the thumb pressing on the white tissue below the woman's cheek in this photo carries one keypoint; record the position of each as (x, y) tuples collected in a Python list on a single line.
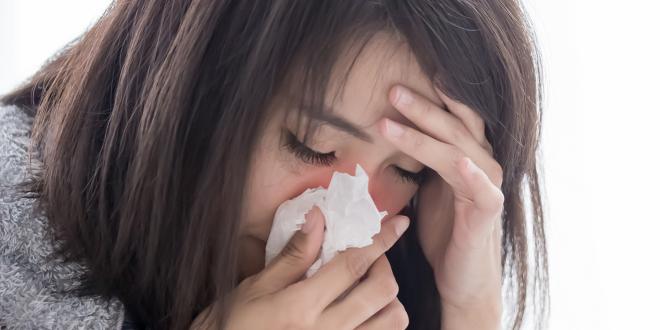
[(297, 256)]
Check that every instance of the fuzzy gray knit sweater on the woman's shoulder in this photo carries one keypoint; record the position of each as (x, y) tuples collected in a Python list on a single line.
[(29, 281)]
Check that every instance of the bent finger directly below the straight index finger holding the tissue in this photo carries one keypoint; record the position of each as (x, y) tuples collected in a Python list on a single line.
[(378, 289)]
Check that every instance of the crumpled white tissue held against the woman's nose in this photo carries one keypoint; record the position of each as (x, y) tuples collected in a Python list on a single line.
[(351, 217)]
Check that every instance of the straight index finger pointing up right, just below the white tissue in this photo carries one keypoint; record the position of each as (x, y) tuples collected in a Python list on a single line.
[(335, 277)]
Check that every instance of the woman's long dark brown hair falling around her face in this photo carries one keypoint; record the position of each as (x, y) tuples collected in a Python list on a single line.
[(144, 124)]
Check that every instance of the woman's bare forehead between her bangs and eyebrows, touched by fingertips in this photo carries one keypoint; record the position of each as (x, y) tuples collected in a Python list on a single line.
[(384, 62)]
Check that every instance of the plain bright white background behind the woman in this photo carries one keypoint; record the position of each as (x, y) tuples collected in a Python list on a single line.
[(600, 143)]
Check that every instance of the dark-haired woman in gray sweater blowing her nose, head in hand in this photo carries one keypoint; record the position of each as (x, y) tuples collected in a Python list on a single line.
[(166, 136)]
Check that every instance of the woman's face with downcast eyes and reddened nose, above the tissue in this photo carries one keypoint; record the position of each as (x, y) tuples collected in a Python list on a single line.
[(279, 172)]
